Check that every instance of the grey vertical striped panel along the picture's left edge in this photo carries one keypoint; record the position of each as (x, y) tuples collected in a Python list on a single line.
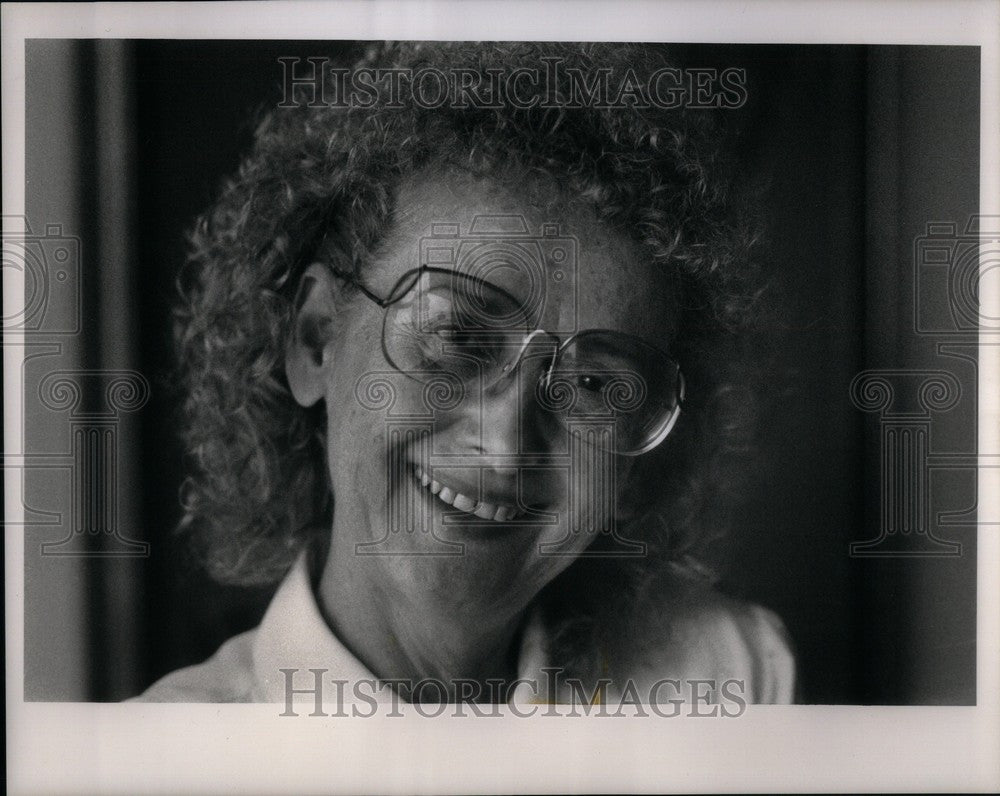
[(83, 379)]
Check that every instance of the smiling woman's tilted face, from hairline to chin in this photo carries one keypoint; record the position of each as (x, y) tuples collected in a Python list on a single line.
[(476, 500)]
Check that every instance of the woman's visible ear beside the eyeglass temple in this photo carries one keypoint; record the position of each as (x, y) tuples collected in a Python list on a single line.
[(308, 353)]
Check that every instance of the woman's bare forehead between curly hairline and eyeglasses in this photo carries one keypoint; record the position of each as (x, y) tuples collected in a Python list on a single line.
[(545, 249)]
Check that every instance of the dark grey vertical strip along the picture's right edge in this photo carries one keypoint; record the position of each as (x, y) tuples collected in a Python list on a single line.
[(922, 168)]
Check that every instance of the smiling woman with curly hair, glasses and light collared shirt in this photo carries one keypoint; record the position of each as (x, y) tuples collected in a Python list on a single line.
[(461, 375)]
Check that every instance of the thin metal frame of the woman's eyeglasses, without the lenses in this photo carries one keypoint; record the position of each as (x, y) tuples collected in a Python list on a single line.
[(510, 368)]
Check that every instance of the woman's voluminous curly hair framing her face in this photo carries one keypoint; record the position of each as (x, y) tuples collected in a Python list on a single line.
[(326, 178)]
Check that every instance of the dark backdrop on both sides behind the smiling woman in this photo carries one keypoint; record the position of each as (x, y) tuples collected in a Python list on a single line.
[(858, 148)]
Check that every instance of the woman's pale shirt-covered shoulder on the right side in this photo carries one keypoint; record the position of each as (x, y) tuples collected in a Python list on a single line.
[(698, 633)]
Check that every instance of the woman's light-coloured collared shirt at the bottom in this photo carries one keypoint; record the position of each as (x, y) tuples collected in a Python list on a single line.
[(713, 640)]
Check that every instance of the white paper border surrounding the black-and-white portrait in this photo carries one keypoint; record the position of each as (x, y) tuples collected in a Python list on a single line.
[(248, 748)]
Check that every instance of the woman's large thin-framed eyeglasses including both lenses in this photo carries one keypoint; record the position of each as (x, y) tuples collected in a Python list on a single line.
[(439, 321)]
